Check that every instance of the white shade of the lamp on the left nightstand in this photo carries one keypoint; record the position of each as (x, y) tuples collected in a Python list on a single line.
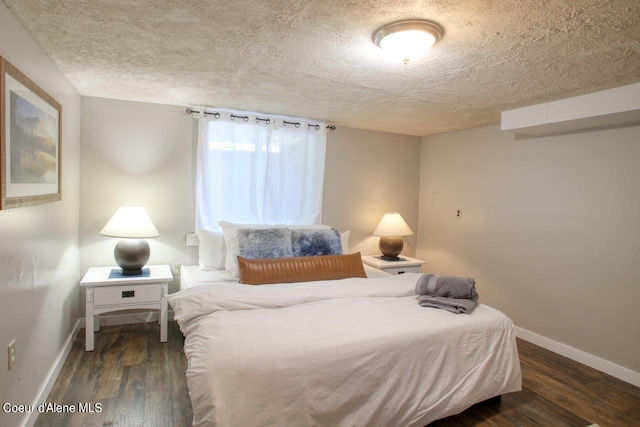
[(130, 221)]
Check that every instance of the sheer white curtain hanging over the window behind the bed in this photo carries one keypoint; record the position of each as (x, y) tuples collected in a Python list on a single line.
[(259, 169)]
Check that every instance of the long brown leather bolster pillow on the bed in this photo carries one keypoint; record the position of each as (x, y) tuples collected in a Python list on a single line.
[(300, 269)]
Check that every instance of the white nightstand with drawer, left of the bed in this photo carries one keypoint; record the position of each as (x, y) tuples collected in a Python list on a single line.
[(105, 294)]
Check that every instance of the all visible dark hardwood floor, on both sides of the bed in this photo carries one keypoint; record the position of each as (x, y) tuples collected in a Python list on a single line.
[(139, 381)]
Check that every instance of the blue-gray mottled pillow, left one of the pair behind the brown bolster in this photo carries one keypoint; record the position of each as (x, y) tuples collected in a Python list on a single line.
[(264, 243)]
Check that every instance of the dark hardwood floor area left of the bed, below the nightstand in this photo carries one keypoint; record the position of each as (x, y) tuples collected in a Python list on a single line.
[(137, 380)]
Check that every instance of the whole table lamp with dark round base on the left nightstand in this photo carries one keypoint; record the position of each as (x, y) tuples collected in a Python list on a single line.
[(132, 223)]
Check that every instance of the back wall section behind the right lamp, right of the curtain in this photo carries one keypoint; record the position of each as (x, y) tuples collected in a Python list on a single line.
[(369, 173)]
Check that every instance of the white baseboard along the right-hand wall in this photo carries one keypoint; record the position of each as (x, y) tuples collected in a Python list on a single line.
[(620, 372)]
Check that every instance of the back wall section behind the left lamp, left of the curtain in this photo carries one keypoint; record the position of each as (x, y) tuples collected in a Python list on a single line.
[(136, 153)]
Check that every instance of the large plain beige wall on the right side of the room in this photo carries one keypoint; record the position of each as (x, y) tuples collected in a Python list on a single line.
[(550, 229)]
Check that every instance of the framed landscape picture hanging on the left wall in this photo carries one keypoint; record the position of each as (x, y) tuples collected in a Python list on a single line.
[(30, 141)]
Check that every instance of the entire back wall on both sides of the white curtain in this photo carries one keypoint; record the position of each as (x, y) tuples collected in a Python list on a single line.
[(145, 153)]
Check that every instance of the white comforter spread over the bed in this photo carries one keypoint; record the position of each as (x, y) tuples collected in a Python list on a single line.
[(353, 352)]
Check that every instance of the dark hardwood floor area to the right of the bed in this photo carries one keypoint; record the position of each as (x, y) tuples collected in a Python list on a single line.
[(556, 391)]
